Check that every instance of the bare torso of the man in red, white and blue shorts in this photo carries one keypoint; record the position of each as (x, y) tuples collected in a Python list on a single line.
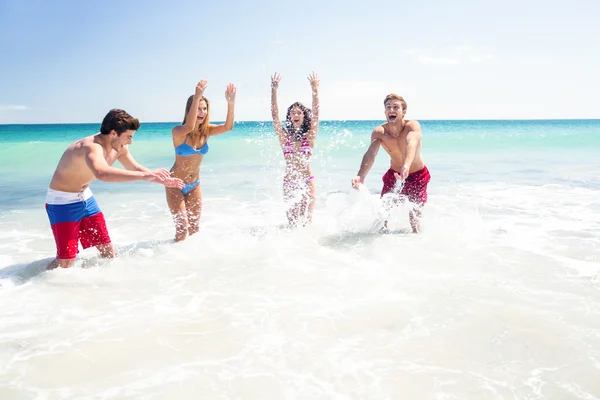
[(73, 173)]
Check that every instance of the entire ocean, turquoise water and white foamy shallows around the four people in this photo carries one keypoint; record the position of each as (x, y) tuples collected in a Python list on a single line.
[(497, 298)]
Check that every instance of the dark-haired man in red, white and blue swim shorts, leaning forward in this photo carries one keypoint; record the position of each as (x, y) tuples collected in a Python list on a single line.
[(73, 212)]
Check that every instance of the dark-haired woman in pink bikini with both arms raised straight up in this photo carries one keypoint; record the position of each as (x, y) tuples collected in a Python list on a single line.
[(297, 140)]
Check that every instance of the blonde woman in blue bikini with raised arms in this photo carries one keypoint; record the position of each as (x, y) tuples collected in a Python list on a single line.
[(190, 140)]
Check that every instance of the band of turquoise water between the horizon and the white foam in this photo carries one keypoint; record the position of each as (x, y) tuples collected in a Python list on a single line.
[(453, 148)]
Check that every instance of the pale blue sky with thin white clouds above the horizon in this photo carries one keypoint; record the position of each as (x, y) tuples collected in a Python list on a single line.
[(68, 61)]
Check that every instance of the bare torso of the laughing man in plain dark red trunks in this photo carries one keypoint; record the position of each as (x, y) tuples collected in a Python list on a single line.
[(395, 145)]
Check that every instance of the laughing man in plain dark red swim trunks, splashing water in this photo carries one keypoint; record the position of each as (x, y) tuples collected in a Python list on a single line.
[(402, 140)]
